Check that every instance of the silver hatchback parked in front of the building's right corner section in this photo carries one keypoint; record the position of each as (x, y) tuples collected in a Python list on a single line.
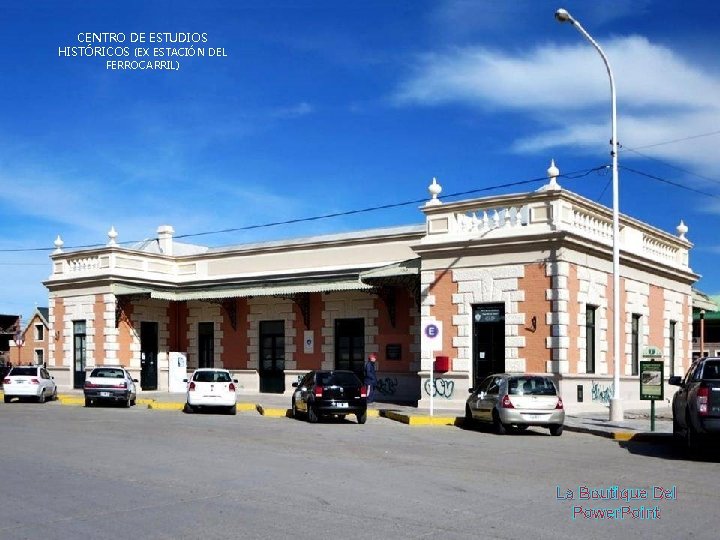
[(516, 400)]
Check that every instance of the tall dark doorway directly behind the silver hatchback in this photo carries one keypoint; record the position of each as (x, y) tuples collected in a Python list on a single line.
[(488, 341)]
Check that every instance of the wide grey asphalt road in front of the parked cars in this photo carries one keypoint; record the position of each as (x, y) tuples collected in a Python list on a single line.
[(71, 472)]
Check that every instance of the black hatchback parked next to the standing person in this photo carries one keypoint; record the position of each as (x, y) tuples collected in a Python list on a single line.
[(332, 392)]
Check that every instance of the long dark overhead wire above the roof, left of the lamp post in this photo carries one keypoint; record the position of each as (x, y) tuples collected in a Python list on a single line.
[(571, 176)]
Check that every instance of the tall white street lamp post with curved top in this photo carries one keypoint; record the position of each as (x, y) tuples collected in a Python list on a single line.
[(616, 411)]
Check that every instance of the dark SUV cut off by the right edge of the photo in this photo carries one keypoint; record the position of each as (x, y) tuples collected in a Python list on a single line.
[(696, 405)]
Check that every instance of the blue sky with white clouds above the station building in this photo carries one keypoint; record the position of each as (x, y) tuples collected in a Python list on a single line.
[(330, 106)]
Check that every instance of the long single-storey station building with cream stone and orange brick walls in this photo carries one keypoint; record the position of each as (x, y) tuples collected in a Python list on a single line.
[(519, 282)]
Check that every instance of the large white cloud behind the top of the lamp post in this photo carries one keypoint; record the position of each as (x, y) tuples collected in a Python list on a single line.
[(661, 95)]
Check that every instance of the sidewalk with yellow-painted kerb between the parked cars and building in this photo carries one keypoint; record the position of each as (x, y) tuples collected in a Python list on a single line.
[(635, 427)]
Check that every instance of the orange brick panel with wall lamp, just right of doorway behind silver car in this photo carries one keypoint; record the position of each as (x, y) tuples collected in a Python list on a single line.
[(534, 283)]
